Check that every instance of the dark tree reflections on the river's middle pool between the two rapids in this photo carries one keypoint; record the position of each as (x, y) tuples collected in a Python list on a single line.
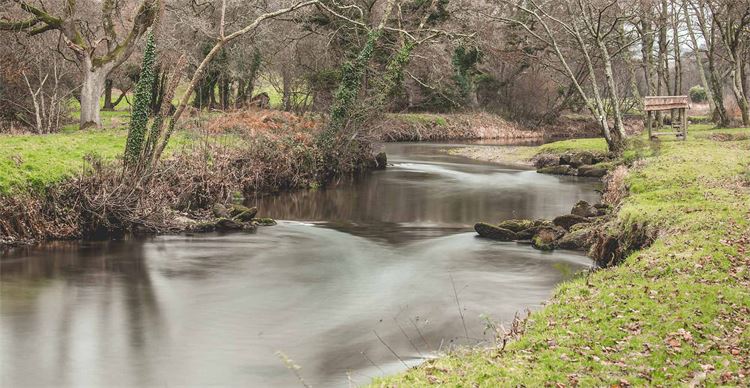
[(395, 197)]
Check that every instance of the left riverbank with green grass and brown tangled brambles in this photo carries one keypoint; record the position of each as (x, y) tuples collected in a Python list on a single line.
[(71, 185)]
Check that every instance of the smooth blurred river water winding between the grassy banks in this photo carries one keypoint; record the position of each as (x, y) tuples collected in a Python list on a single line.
[(358, 280)]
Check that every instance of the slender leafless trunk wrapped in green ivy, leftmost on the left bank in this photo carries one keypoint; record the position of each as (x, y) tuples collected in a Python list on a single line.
[(141, 105)]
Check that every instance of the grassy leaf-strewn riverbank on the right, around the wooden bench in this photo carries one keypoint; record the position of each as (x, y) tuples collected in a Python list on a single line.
[(674, 313)]
